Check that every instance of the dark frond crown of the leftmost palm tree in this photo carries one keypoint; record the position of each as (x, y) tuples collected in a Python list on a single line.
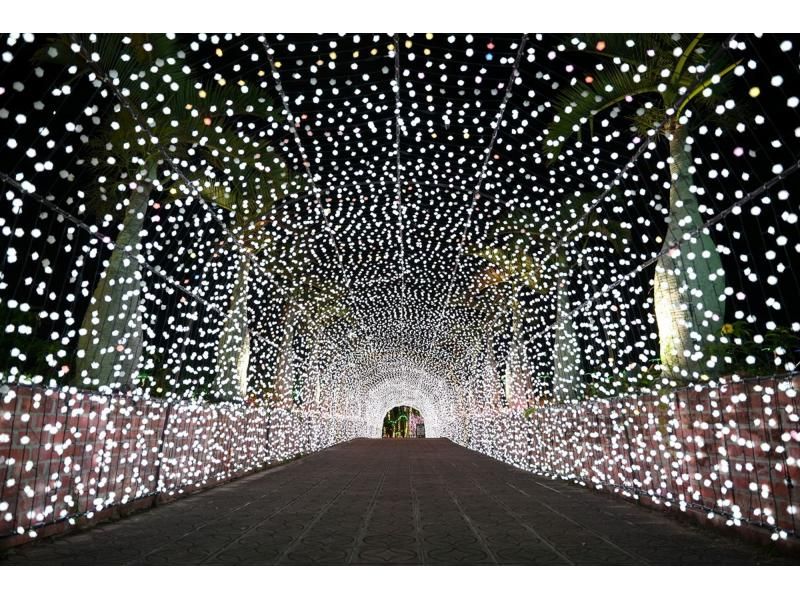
[(196, 106)]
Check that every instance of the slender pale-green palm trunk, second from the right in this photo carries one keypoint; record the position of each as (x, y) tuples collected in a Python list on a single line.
[(567, 383)]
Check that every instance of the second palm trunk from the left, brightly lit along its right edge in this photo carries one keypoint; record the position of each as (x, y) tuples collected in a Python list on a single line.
[(233, 347)]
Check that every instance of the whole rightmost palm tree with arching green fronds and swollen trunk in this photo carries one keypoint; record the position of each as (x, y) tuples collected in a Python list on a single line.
[(670, 83)]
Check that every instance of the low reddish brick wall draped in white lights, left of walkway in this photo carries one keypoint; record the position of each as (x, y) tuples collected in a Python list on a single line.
[(67, 456)]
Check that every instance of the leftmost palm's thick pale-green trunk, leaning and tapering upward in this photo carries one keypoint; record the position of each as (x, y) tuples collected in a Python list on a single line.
[(109, 352)]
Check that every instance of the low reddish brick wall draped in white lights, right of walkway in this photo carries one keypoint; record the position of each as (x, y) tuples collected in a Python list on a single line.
[(730, 452)]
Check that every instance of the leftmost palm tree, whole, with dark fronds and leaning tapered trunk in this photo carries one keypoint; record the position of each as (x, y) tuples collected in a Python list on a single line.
[(176, 106)]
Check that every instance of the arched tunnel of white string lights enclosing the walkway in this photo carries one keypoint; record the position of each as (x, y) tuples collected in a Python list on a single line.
[(575, 254)]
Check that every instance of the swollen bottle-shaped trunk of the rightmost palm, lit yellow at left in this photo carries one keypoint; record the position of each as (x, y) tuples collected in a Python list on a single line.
[(689, 280)]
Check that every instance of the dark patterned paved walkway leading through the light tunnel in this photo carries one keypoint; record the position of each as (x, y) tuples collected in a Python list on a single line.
[(396, 502)]
